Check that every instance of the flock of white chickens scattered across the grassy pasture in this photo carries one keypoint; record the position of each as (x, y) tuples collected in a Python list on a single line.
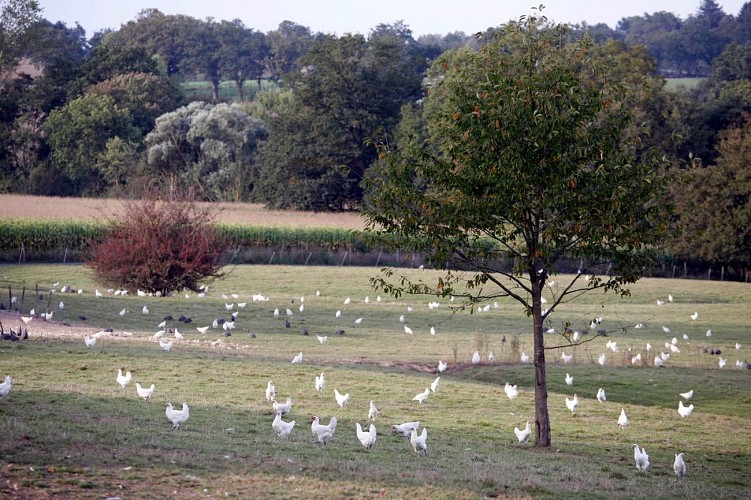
[(324, 433)]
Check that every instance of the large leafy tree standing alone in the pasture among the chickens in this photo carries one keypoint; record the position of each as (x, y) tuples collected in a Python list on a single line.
[(531, 159)]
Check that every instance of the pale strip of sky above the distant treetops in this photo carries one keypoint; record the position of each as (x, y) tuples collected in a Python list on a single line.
[(360, 16)]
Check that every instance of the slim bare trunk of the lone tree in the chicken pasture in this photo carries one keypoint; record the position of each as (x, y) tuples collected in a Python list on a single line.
[(542, 417)]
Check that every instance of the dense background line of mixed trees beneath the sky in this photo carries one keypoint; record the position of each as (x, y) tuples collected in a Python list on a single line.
[(108, 116)]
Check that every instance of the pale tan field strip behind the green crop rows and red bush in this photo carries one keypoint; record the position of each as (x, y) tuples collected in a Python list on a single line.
[(40, 207)]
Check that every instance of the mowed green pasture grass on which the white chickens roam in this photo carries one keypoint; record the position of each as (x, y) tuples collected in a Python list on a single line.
[(67, 428)]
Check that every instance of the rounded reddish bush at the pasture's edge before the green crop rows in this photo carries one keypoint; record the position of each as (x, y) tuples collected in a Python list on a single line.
[(158, 247)]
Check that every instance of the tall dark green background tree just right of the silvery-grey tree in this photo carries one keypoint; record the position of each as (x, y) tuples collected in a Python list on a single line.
[(348, 93)]
